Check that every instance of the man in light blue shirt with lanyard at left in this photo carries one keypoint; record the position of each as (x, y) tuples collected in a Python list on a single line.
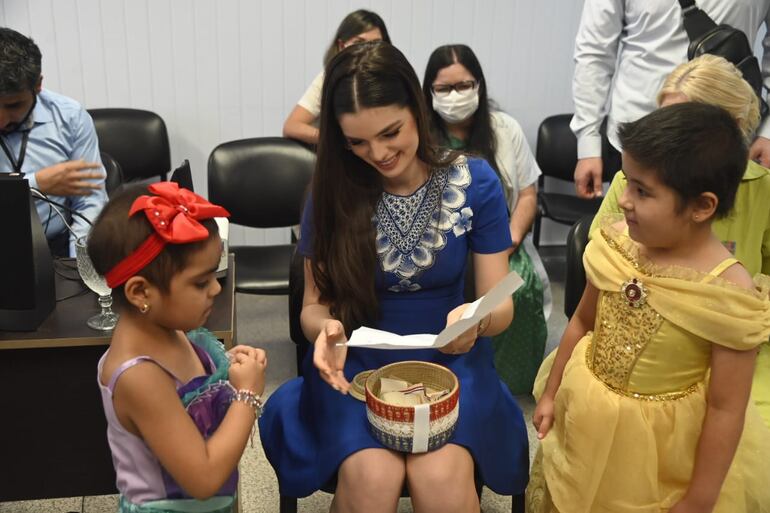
[(51, 140)]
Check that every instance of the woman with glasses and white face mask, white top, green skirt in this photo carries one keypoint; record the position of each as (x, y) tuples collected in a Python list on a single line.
[(462, 119)]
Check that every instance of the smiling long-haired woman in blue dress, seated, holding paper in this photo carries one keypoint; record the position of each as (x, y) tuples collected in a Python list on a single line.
[(386, 236)]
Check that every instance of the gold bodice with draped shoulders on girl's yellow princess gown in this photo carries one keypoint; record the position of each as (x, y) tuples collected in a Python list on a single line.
[(655, 325)]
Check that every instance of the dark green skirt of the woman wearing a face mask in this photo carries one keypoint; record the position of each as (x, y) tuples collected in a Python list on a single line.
[(519, 349)]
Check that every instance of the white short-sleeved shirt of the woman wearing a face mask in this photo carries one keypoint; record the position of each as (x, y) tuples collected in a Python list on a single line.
[(518, 167)]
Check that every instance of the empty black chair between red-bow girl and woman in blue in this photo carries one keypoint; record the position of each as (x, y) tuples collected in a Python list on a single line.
[(262, 182)]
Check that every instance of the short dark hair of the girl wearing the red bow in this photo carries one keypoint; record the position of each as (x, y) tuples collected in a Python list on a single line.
[(115, 235)]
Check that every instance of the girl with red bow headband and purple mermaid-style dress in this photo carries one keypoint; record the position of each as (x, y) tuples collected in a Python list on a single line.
[(179, 408)]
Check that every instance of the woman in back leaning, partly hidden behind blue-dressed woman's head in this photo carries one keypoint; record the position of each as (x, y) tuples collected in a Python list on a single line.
[(357, 27)]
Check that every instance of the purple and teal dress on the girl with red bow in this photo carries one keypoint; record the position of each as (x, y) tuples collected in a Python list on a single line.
[(143, 483)]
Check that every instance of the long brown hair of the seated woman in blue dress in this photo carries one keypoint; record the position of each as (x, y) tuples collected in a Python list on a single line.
[(346, 188)]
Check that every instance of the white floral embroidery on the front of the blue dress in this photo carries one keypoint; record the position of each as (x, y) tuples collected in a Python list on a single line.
[(412, 229)]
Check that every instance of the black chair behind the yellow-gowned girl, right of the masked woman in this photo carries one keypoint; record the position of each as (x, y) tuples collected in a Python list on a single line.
[(556, 155)]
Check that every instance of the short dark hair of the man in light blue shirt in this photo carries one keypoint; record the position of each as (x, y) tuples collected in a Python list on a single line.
[(20, 60)]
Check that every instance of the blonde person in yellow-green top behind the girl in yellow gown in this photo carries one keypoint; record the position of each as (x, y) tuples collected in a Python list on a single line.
[(746, 232)]
